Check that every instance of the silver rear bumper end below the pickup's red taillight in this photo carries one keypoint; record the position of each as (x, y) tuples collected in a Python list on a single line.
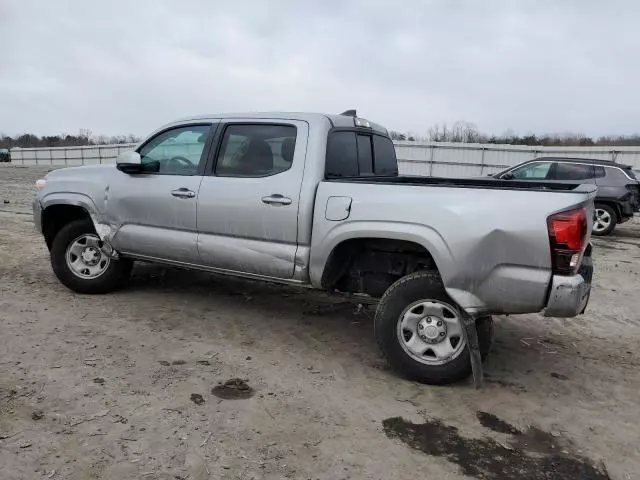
[(570, 294)]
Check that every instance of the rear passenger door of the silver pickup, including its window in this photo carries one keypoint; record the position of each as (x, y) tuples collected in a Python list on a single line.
[(248, 204)]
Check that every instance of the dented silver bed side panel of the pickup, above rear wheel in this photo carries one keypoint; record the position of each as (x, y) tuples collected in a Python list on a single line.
[(491, 246)]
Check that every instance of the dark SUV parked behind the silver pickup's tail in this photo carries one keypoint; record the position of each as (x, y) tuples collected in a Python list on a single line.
[(618, 188)]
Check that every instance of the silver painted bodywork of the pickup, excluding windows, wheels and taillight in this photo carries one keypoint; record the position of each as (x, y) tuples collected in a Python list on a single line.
[(489, 242)]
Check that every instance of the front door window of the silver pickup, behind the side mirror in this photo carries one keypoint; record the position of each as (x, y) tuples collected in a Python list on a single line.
[(177, 151)]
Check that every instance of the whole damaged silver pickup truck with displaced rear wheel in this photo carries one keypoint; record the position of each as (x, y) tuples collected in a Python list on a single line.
[(316, 200)]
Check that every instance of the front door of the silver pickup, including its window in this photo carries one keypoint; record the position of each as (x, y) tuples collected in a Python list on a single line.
[(156, 211)]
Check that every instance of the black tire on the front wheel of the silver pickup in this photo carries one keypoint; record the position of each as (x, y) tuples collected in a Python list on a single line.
[(111, 275)]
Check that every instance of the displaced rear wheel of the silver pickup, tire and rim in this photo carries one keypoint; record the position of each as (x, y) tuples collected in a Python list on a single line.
[(420, 331)]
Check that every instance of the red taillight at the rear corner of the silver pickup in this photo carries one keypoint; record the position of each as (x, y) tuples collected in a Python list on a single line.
[(568, 239)]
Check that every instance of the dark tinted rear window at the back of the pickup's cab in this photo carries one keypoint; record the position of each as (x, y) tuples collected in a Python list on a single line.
[(355, 153)]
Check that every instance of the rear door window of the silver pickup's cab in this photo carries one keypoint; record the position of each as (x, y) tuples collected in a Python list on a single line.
[(256, 150)]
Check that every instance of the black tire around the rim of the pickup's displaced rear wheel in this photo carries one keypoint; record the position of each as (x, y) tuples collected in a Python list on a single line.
[(424, 288)]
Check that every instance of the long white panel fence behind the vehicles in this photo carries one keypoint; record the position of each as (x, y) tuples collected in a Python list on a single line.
[(425, 159)]
